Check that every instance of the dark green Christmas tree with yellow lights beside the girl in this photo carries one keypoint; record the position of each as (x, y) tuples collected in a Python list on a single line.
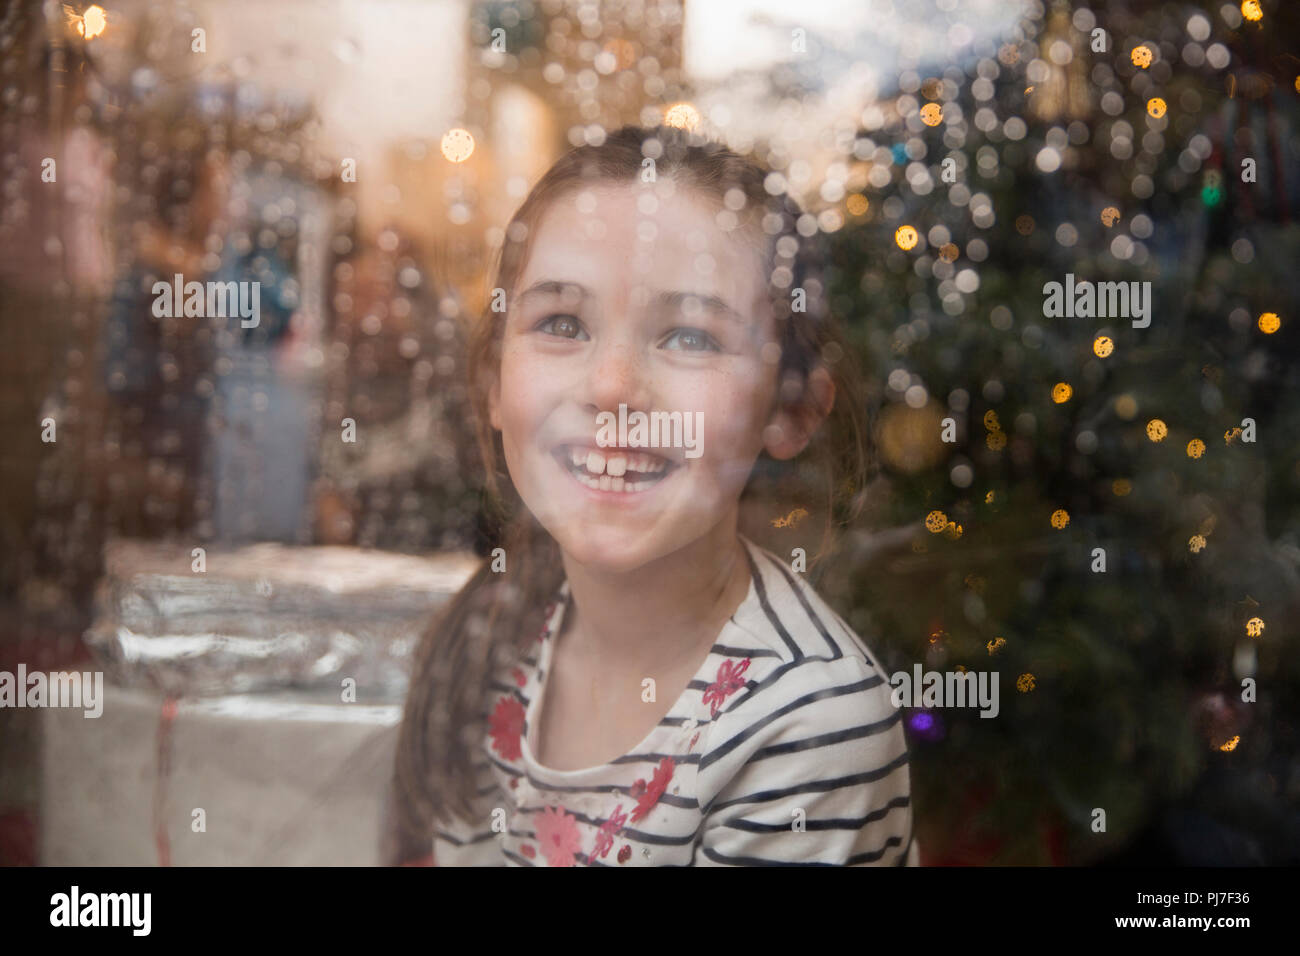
[(1100, 508)]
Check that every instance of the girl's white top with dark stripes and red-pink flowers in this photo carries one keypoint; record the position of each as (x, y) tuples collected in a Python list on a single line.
[(785, 750)]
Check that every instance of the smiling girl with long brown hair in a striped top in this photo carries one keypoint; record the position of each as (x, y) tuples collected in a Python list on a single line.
[(643, 685)]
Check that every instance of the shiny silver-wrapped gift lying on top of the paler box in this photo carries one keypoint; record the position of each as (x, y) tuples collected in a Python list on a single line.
[(267, 617)]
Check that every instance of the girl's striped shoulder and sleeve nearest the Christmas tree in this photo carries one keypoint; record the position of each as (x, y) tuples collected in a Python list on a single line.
[(811, 732)]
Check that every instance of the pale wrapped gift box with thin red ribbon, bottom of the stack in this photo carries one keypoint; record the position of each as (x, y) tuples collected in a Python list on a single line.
[(284, 780)]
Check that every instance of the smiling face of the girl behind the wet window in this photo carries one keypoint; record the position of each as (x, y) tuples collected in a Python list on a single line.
[(639, 300)]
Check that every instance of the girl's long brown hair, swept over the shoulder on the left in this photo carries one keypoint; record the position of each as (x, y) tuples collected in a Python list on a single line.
[(496, 617)]
